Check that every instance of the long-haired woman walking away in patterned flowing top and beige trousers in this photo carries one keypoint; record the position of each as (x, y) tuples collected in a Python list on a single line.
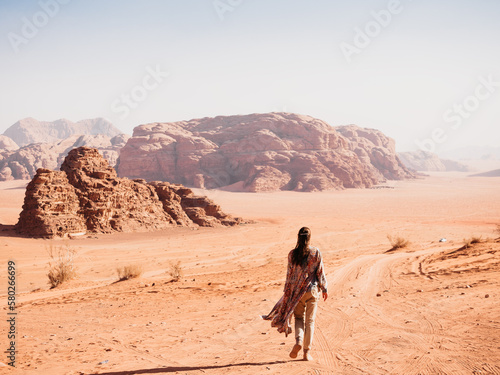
[(304, 279)]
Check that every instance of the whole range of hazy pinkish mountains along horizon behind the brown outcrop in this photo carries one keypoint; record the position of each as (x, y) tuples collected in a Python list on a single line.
[(274, 151)]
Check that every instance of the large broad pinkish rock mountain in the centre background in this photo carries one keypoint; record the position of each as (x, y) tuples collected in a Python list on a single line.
[(261, 152)]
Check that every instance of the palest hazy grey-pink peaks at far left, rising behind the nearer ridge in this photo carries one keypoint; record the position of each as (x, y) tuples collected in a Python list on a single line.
[(30, 130)]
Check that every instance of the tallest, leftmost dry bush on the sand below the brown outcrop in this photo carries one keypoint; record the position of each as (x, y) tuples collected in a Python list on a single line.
[(62, 264)]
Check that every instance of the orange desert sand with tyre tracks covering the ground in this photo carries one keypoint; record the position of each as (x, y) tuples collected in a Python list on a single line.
[(430, 308)]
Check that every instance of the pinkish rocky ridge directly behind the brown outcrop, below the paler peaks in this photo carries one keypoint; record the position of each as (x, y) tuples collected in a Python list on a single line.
[(23, 162)]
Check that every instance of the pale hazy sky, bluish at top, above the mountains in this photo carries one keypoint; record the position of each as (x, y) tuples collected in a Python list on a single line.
[(413, 69)]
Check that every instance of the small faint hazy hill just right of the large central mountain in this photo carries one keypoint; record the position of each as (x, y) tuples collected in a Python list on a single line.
[(427, 162)]
